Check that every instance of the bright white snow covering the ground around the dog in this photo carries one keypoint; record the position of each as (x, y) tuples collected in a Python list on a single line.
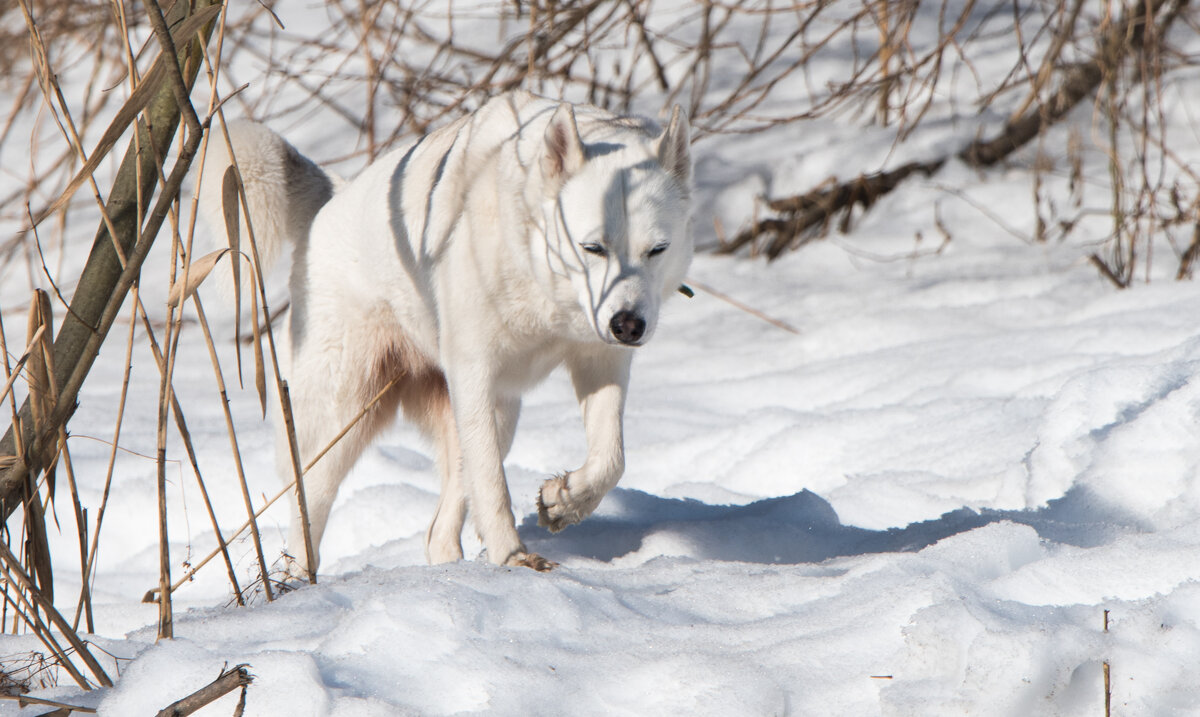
[(923, 503)]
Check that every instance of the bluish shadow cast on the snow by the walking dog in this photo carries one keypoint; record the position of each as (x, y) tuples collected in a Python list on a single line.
[(801, 528)]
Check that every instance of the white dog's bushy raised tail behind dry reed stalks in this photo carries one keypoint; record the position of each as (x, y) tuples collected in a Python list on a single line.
[(284, 189)]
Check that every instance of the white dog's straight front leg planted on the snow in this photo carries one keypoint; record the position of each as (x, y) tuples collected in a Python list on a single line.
[(475, 403)]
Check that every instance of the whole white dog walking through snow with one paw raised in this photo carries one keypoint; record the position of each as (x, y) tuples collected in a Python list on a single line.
[(470, 264)]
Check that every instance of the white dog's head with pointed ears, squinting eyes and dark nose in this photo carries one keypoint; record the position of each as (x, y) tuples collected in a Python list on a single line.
[(620, 221)]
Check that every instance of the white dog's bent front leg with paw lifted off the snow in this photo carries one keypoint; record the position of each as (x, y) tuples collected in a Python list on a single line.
[(601, 377)]
